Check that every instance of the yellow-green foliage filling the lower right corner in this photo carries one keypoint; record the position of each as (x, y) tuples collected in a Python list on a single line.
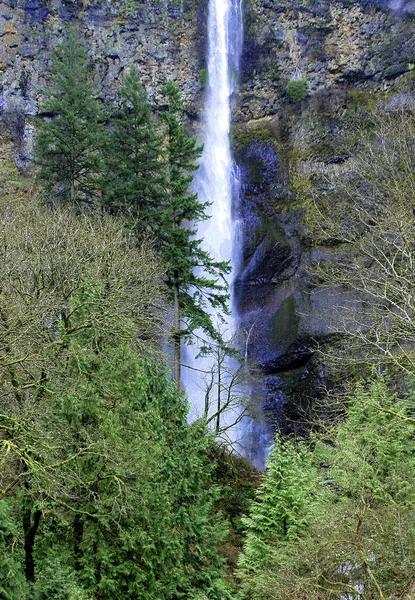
[(358, 531)]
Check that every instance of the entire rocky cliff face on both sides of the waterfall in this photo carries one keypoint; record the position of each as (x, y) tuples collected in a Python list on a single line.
[(338, 56)]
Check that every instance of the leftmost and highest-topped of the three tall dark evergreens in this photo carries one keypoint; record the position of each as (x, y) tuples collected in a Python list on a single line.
[(71, 132)]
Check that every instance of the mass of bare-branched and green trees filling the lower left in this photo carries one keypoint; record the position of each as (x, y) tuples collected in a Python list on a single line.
[(100, 469)]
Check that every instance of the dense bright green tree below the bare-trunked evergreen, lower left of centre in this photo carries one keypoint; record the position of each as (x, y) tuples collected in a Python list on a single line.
[(151, 534)]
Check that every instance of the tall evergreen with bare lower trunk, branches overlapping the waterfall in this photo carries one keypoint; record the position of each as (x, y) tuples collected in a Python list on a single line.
[(195, 279)]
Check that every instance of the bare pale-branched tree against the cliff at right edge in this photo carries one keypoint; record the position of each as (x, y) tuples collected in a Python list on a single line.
[(366, 213)]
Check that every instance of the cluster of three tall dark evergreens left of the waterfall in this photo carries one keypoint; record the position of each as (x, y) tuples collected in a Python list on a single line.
[(134, 164)]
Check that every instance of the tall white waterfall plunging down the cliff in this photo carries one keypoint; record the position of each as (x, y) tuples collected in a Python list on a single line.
[(216, 179)]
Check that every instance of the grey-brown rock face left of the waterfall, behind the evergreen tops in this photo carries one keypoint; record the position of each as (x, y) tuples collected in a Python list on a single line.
[(163, 40)]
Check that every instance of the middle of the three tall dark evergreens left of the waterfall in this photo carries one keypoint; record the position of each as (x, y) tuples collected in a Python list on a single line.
[(133, 181)]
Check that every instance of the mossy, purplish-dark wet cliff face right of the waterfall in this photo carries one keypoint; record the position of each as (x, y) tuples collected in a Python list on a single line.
[(307, 69)]
